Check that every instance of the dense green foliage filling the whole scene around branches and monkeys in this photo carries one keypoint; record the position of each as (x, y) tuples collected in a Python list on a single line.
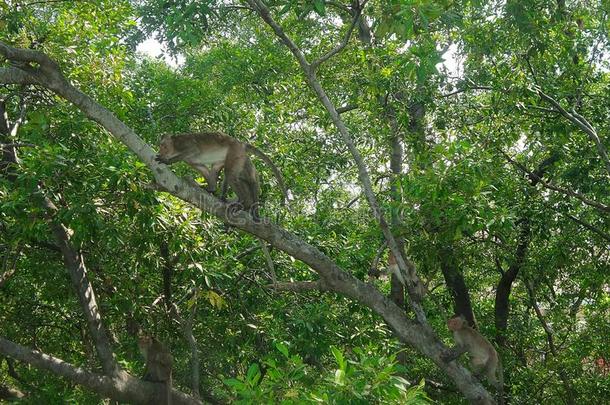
[(498, 114)]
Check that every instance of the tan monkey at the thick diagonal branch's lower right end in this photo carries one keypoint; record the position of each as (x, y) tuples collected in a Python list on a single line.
[(483, 357)]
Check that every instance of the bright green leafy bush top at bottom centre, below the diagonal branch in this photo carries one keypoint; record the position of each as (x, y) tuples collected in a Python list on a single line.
[(367, 379)]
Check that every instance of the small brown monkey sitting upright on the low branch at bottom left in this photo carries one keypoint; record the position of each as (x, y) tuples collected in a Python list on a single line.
[(158, 365)]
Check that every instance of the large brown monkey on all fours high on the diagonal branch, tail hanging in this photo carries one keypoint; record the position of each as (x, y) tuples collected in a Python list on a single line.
[(209, 153)]
